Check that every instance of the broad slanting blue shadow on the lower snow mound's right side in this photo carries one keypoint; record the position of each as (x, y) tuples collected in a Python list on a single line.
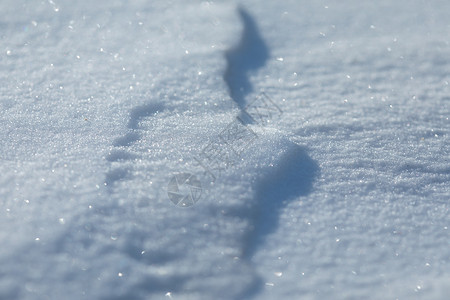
[(291, 178)]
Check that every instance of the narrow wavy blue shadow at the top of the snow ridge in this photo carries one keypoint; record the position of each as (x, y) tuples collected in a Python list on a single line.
[(250, 54)]
